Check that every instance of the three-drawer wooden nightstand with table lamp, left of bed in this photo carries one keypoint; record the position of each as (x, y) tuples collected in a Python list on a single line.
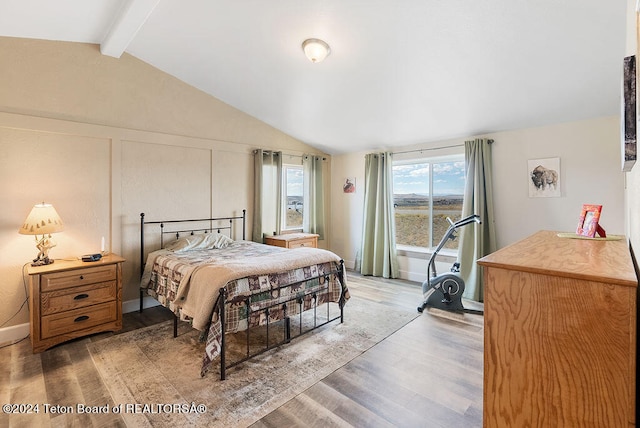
[(71, 299)]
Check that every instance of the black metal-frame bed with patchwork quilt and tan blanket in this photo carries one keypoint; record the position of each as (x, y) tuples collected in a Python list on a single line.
[(224, 286)]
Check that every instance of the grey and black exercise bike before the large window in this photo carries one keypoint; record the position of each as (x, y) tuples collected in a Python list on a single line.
[(444, 291)]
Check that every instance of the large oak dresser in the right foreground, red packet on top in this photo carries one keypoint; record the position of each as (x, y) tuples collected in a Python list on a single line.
[(560, 333)]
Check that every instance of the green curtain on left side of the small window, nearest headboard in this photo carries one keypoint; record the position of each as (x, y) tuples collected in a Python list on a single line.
[(267, 197)]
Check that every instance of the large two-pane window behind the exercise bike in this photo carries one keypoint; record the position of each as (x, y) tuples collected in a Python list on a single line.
[(425, 193)]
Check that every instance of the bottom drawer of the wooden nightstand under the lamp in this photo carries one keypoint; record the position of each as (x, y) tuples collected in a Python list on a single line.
[(77, 319)]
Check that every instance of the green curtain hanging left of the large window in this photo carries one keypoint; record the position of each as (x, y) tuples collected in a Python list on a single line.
[(378, 252)]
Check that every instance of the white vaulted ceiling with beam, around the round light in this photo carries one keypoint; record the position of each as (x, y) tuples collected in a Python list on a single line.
[(400, 72)]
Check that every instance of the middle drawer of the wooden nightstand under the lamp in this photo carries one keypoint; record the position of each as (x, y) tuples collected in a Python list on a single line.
[(77, 297)]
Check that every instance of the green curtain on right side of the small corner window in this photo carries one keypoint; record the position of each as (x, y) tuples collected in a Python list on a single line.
[(313, 213)]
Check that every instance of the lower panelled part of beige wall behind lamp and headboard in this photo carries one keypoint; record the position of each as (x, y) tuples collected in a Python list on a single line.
[(100, 179)]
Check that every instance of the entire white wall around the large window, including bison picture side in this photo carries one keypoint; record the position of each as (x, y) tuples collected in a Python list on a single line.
[(589, 153)]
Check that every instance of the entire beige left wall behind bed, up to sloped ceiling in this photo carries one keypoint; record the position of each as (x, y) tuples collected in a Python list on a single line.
[(103, 140)]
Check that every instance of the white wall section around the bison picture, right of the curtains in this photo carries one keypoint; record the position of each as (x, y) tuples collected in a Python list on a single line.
[(589, 153)]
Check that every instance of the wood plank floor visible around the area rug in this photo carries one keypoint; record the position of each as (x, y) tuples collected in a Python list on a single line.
[(427, 374)]
